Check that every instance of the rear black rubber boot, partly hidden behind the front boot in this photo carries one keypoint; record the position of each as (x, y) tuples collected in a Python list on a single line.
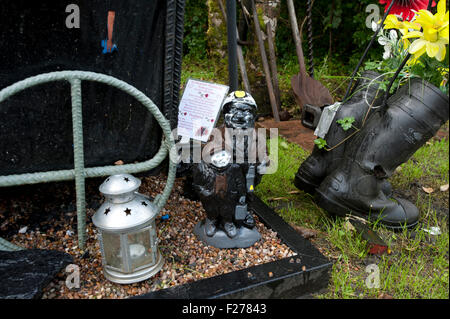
[(321, 162)]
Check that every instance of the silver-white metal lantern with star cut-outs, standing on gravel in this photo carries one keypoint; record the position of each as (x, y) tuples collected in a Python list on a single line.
[(128, 237)]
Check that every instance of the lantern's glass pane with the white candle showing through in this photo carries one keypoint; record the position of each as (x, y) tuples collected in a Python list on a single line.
[(140, 249)]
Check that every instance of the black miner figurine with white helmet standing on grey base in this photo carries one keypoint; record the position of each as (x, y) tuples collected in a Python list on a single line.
[(229, 170)]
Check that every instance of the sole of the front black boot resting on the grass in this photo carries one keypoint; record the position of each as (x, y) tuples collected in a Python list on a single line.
[(335, 208)]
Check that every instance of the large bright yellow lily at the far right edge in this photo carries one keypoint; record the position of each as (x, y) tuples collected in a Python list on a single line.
[(434, 36)]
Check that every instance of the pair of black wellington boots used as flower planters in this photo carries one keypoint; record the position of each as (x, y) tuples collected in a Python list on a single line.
[(352, 178)]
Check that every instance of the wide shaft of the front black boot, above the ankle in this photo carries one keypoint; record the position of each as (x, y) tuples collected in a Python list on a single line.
[(391, 136)]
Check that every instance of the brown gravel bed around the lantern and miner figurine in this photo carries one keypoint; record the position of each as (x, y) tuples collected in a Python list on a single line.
[(187, 259)]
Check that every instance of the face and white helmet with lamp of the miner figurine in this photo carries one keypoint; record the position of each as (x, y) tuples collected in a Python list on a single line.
[(239, 110)]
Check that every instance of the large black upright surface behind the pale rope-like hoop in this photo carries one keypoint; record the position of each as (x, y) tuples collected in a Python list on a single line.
[(36, 124)]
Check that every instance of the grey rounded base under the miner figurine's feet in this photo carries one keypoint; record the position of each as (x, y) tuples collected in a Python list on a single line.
[(245, 237)]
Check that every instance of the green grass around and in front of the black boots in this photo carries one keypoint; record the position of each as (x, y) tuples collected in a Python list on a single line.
[(417, 266)]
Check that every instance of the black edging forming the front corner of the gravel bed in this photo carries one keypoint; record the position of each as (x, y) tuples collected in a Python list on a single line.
[(291, 277)]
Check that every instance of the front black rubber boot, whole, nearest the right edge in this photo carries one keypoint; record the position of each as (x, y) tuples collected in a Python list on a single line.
[(389, 138)]
